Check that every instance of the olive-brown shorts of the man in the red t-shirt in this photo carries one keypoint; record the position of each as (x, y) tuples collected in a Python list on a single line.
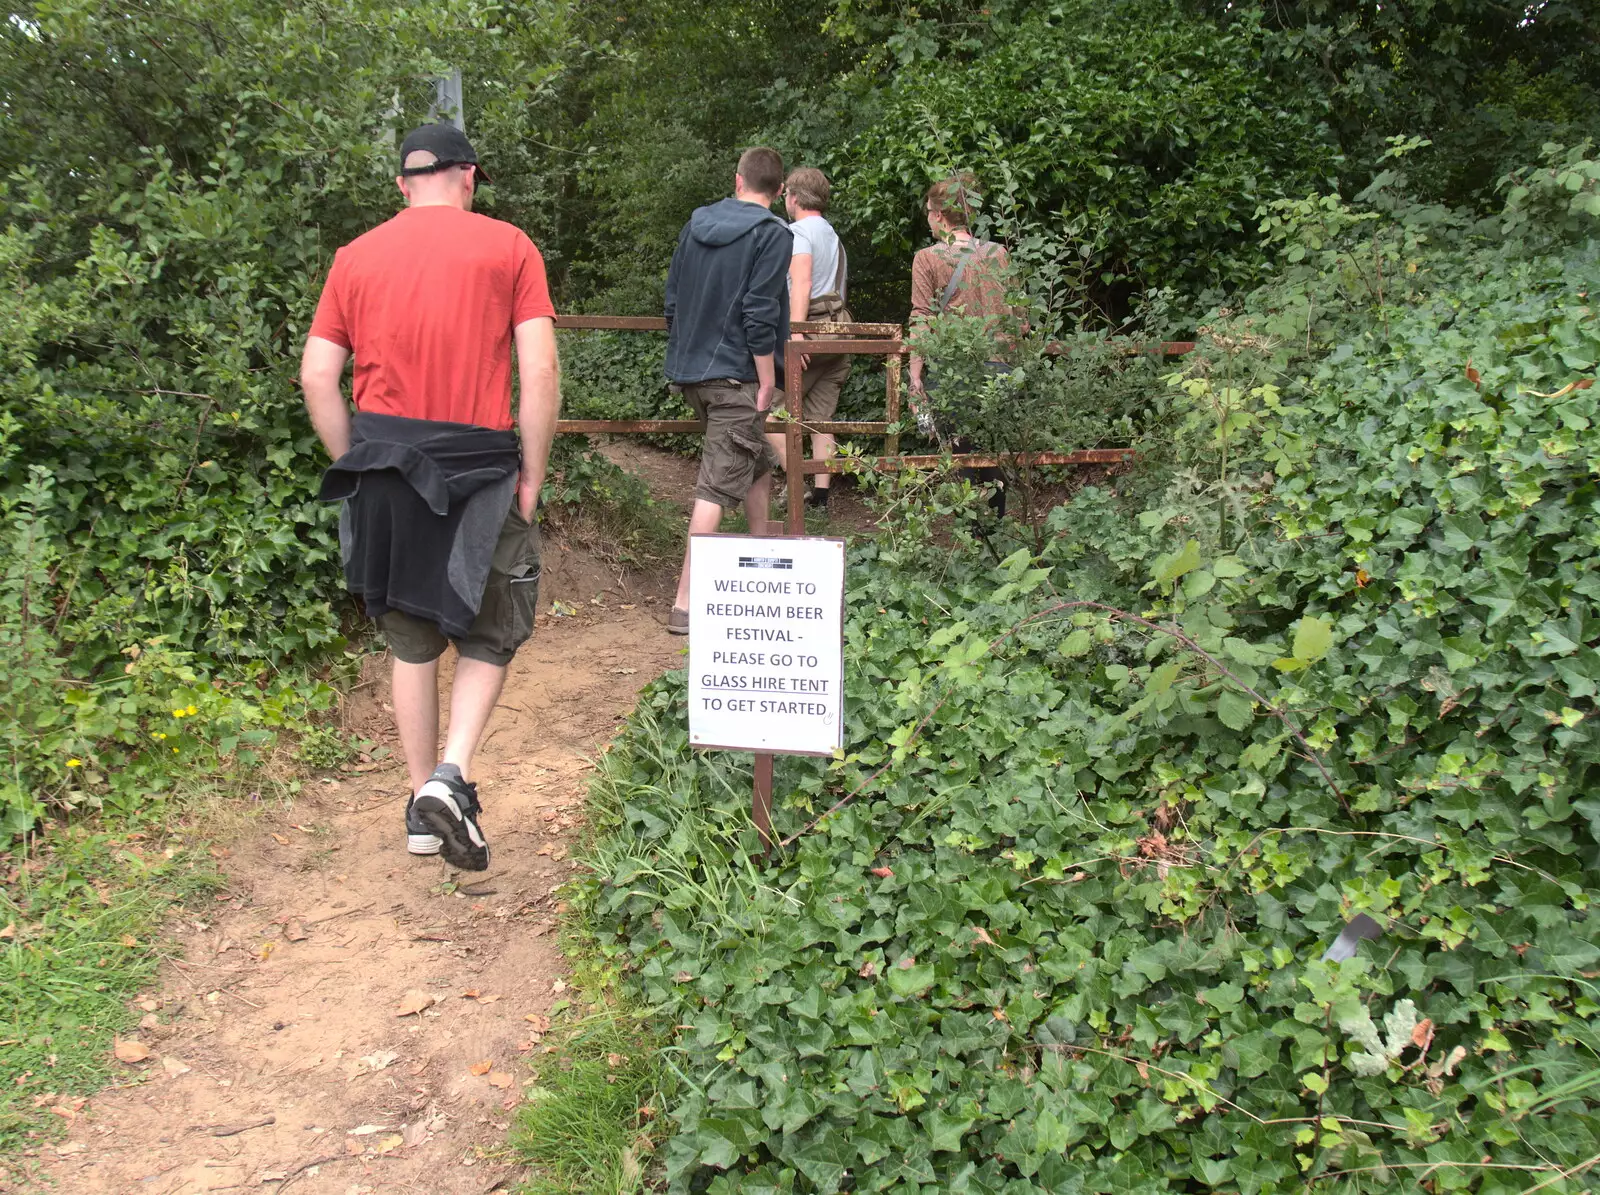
[(505, 620)]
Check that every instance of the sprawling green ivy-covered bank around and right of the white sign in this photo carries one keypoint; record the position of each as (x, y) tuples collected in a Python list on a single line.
[(1060, 917)]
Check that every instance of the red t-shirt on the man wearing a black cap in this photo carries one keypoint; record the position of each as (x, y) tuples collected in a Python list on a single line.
[(426, 303)]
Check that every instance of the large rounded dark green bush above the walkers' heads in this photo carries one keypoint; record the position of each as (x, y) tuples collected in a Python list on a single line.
[(1121, 148)]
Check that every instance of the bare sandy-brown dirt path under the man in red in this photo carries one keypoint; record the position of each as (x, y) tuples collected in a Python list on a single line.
[(279, 1060)]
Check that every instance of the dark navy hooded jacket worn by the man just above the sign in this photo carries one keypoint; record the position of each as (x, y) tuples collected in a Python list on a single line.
[(729, 294)]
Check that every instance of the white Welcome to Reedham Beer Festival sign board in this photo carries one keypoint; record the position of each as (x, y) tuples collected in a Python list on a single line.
[(767, 657)]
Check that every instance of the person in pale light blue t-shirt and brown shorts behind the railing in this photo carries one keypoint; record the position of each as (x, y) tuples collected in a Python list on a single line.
[(817, 292)]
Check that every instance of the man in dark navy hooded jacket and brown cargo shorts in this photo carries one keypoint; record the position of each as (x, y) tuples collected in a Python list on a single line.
[(727, 324)]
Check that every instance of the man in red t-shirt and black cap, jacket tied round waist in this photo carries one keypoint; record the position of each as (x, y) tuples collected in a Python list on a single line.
[(438, 526)]
